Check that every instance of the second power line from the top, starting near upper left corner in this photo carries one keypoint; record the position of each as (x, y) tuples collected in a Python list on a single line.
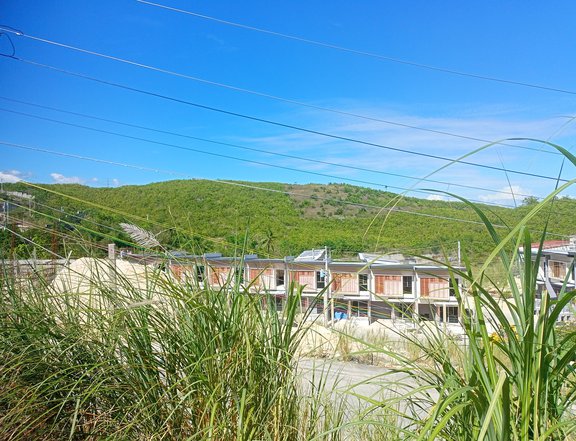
[(266, 95)]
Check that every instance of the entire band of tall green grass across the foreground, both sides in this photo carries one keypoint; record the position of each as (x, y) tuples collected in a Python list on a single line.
[(167, 360)]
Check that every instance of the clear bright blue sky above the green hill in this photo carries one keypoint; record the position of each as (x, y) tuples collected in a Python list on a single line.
[(340, 93)]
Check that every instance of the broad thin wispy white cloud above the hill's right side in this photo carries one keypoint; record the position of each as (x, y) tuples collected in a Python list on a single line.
[(402, 169)]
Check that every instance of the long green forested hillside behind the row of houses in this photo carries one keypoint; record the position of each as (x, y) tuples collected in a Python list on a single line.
[(200, 216)]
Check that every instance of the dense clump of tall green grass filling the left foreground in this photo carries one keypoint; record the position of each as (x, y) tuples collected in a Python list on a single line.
[(170, 361)]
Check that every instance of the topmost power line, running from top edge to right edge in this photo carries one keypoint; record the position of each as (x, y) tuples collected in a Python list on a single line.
[(360, 52)]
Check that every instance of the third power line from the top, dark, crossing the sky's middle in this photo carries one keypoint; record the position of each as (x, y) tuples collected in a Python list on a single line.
[(289, 126)]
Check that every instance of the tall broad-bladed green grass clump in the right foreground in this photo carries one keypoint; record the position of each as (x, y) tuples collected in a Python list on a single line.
[(512, 377)]
